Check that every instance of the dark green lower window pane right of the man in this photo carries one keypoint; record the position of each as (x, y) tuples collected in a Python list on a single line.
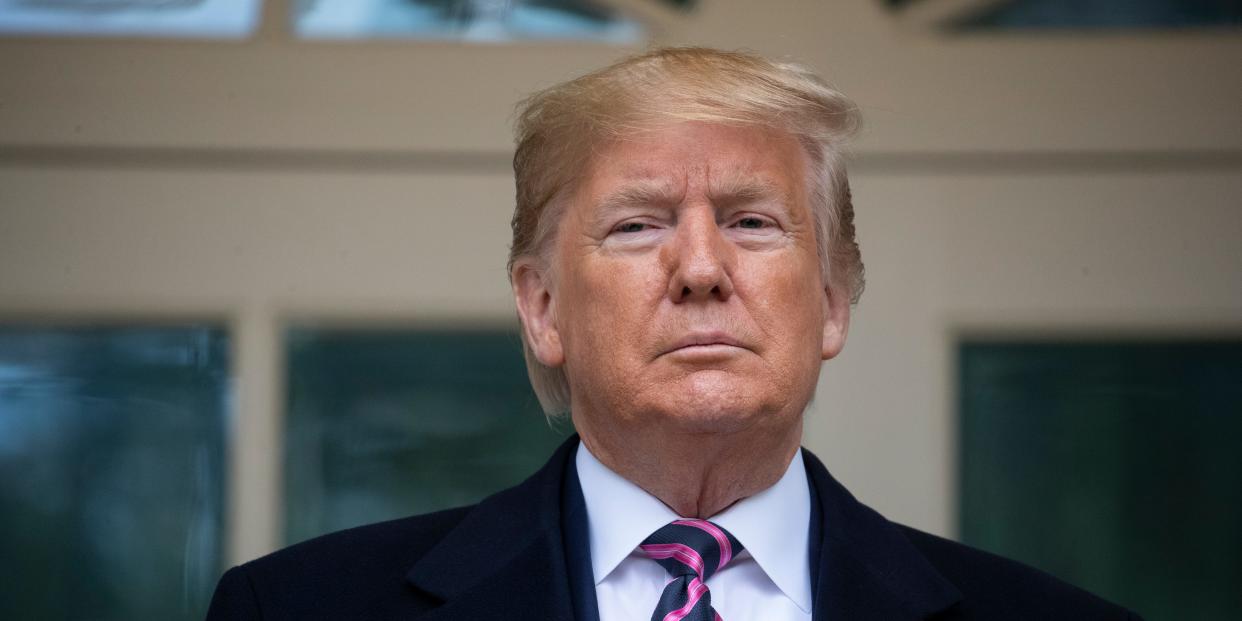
[(1115, 466)]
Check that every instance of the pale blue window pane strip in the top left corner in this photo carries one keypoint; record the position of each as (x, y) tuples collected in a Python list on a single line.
[(206, 19)]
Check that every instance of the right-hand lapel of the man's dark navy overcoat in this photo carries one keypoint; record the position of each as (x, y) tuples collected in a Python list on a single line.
[(868, 569)]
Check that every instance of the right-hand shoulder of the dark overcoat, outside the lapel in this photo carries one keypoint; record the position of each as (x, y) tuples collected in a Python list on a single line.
[(998, 588)]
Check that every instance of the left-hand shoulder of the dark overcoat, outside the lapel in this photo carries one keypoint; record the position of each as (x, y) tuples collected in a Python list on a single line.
[(330, 576)]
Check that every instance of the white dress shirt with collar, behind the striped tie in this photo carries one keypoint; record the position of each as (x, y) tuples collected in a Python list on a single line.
[(769, 582)]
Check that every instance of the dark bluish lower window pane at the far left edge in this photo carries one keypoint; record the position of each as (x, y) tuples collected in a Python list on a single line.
[(111, 471)]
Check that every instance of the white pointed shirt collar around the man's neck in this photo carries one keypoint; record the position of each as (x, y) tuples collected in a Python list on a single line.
[(773, 525)]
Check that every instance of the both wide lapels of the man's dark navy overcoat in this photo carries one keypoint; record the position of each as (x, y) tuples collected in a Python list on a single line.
[(507, 558)]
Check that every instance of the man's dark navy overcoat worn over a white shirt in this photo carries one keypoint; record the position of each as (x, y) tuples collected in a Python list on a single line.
[(525, 555)]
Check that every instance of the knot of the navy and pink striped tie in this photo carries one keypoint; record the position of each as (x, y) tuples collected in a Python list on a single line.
[(691, 547)]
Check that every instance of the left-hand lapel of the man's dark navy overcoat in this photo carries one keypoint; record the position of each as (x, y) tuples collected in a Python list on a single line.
[(507, 558)]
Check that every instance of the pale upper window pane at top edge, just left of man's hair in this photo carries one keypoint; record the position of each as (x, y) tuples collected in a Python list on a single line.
[(473, 20)]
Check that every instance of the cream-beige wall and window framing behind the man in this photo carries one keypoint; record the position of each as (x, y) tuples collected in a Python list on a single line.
[(1005, 186)]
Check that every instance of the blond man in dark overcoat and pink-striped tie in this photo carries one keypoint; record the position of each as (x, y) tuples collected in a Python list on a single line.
[(684, 260)]
